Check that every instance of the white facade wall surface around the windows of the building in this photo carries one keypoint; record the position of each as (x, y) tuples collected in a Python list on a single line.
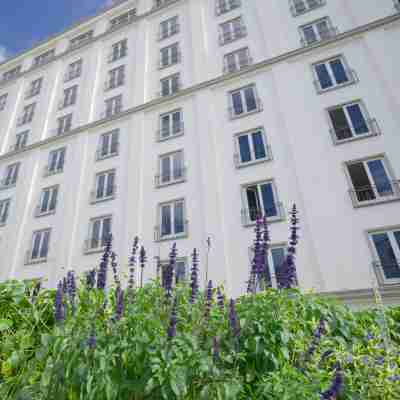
[(335, 254)]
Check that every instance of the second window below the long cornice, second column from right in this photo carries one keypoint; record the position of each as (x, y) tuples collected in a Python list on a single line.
[(251, 148)]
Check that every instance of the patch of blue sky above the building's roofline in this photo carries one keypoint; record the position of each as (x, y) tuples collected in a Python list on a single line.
[(24, 22)]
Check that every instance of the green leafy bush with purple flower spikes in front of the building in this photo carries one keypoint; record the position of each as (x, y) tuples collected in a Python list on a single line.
[(162, 342)]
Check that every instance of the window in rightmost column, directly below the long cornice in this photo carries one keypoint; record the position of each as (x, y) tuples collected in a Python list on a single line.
[(332, 73)]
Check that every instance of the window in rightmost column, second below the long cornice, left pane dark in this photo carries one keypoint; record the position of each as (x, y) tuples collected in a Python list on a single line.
[(350, 121)]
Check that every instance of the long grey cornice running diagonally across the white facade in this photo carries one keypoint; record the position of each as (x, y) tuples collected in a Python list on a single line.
[(212, 82)]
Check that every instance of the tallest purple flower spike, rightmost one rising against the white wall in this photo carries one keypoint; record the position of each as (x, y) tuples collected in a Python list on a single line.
[(286, 275)]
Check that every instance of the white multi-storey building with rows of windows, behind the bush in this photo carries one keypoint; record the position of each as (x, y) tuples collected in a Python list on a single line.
[(178, 120)]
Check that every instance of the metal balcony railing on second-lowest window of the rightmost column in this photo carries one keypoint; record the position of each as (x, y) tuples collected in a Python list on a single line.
[(372, 194)]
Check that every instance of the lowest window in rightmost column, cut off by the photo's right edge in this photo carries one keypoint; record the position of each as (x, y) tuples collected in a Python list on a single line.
[(386, 247)]
